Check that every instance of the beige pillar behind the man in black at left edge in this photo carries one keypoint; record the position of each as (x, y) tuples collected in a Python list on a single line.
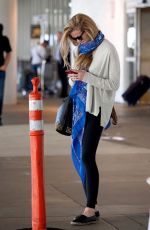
[(8, 17)]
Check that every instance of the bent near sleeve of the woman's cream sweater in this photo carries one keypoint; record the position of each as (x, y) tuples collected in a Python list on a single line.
[(107, 83)]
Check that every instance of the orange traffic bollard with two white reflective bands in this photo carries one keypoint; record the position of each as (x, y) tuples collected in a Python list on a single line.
[(37, 152)]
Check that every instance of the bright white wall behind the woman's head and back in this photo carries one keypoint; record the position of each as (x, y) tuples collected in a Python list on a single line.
[(110, 17)]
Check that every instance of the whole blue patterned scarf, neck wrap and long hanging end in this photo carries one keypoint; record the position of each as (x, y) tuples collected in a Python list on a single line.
[(78, 94)]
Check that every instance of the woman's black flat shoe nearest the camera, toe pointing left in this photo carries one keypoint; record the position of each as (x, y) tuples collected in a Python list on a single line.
[(84, 220)]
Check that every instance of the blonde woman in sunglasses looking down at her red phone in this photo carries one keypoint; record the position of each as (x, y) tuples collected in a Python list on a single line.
[(93, 92)]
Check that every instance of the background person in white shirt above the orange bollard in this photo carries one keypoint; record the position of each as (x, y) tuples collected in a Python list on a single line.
[(38, 54)]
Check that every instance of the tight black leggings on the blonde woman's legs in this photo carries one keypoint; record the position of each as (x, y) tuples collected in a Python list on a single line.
[(91, 137)]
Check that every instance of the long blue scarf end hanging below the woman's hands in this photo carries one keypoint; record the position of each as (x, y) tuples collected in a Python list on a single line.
[(78, 94)]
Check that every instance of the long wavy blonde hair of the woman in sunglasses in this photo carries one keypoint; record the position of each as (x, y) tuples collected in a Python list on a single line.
[(84, 23)]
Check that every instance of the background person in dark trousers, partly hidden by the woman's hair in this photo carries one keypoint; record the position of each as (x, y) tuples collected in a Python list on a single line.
[(60, 67)]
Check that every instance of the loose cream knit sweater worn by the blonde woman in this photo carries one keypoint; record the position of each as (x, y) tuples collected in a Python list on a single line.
[(102, 81)]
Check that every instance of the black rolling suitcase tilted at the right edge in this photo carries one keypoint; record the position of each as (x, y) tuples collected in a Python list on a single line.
[(136, 90)]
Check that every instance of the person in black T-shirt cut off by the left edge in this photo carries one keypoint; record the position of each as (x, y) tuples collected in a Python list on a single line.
[(5, 55)]
